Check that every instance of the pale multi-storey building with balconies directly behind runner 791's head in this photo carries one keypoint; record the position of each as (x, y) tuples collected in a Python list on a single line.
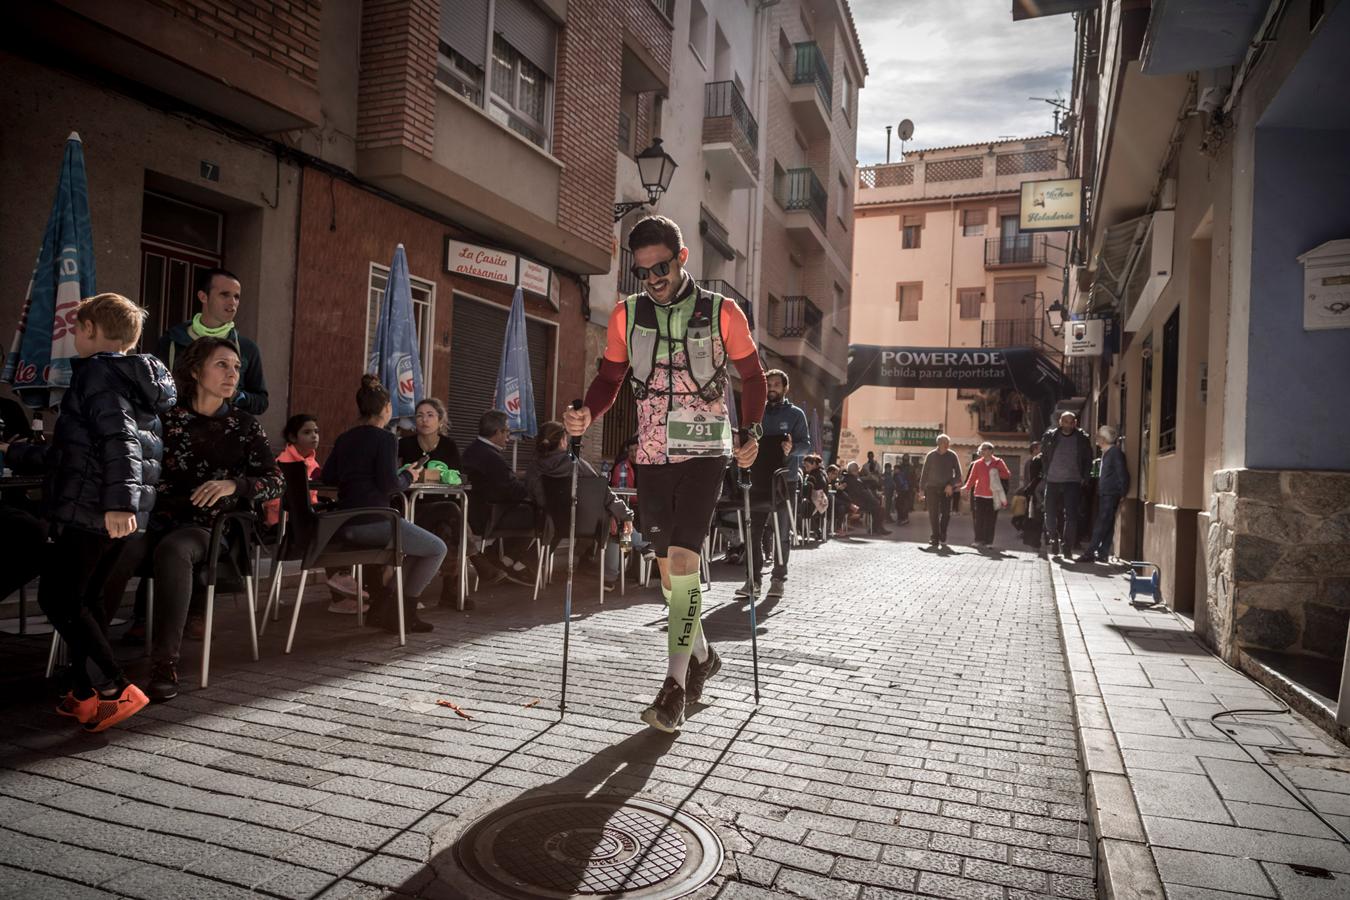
[(759, 114)]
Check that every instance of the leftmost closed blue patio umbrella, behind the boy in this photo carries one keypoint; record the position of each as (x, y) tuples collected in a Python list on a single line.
[(38, 365)]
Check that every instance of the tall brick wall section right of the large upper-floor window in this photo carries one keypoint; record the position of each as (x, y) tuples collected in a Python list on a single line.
[(587, 105)]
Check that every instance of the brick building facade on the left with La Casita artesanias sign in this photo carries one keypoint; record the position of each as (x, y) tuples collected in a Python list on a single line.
[(299, 144)]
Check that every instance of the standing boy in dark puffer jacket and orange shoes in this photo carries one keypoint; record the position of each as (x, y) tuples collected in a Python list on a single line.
[(102, 473)]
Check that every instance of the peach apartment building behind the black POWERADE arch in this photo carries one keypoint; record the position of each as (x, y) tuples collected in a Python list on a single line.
[(942, 264)]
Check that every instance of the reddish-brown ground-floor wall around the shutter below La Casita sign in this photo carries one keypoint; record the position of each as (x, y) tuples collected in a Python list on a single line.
[(342, 231)]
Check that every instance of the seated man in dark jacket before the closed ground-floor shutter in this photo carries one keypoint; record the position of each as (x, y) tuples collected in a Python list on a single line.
[(495, 482)]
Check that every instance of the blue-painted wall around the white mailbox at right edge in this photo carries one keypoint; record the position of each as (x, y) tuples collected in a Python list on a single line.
[(1298, 383)]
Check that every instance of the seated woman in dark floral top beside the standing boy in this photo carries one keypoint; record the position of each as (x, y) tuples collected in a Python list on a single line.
[(217, 461)]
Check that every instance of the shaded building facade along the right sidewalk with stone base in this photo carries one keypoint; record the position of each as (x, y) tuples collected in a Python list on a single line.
[(1213, 145)]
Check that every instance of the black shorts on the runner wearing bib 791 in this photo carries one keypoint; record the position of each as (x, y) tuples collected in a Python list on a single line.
[(677, 501)]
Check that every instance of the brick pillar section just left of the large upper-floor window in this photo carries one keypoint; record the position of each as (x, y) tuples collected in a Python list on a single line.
[(398, 96)]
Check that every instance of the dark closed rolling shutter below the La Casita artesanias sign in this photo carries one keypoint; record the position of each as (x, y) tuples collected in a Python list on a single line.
[(475, 357)]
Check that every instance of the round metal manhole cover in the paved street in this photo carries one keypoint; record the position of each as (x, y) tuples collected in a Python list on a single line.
[(566, 847)]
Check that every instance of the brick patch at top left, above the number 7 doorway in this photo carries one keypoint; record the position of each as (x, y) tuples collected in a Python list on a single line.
[(283, 34)]
